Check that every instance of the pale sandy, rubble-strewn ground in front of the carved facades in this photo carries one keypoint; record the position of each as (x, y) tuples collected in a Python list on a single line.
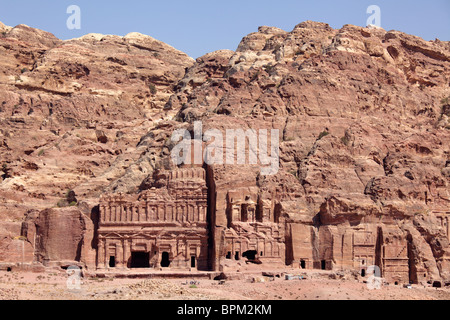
[(52, 286)]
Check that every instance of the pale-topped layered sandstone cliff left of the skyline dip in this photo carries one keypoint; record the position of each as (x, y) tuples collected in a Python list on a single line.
[(72, 109)]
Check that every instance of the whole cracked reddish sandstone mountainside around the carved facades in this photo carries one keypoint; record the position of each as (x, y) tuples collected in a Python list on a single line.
[(362, 112)]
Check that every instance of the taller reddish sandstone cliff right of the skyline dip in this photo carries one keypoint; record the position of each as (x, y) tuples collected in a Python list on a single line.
[(365, 151)]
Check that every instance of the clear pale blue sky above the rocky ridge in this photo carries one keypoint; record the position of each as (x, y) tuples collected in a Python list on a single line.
[(199, 26)]
